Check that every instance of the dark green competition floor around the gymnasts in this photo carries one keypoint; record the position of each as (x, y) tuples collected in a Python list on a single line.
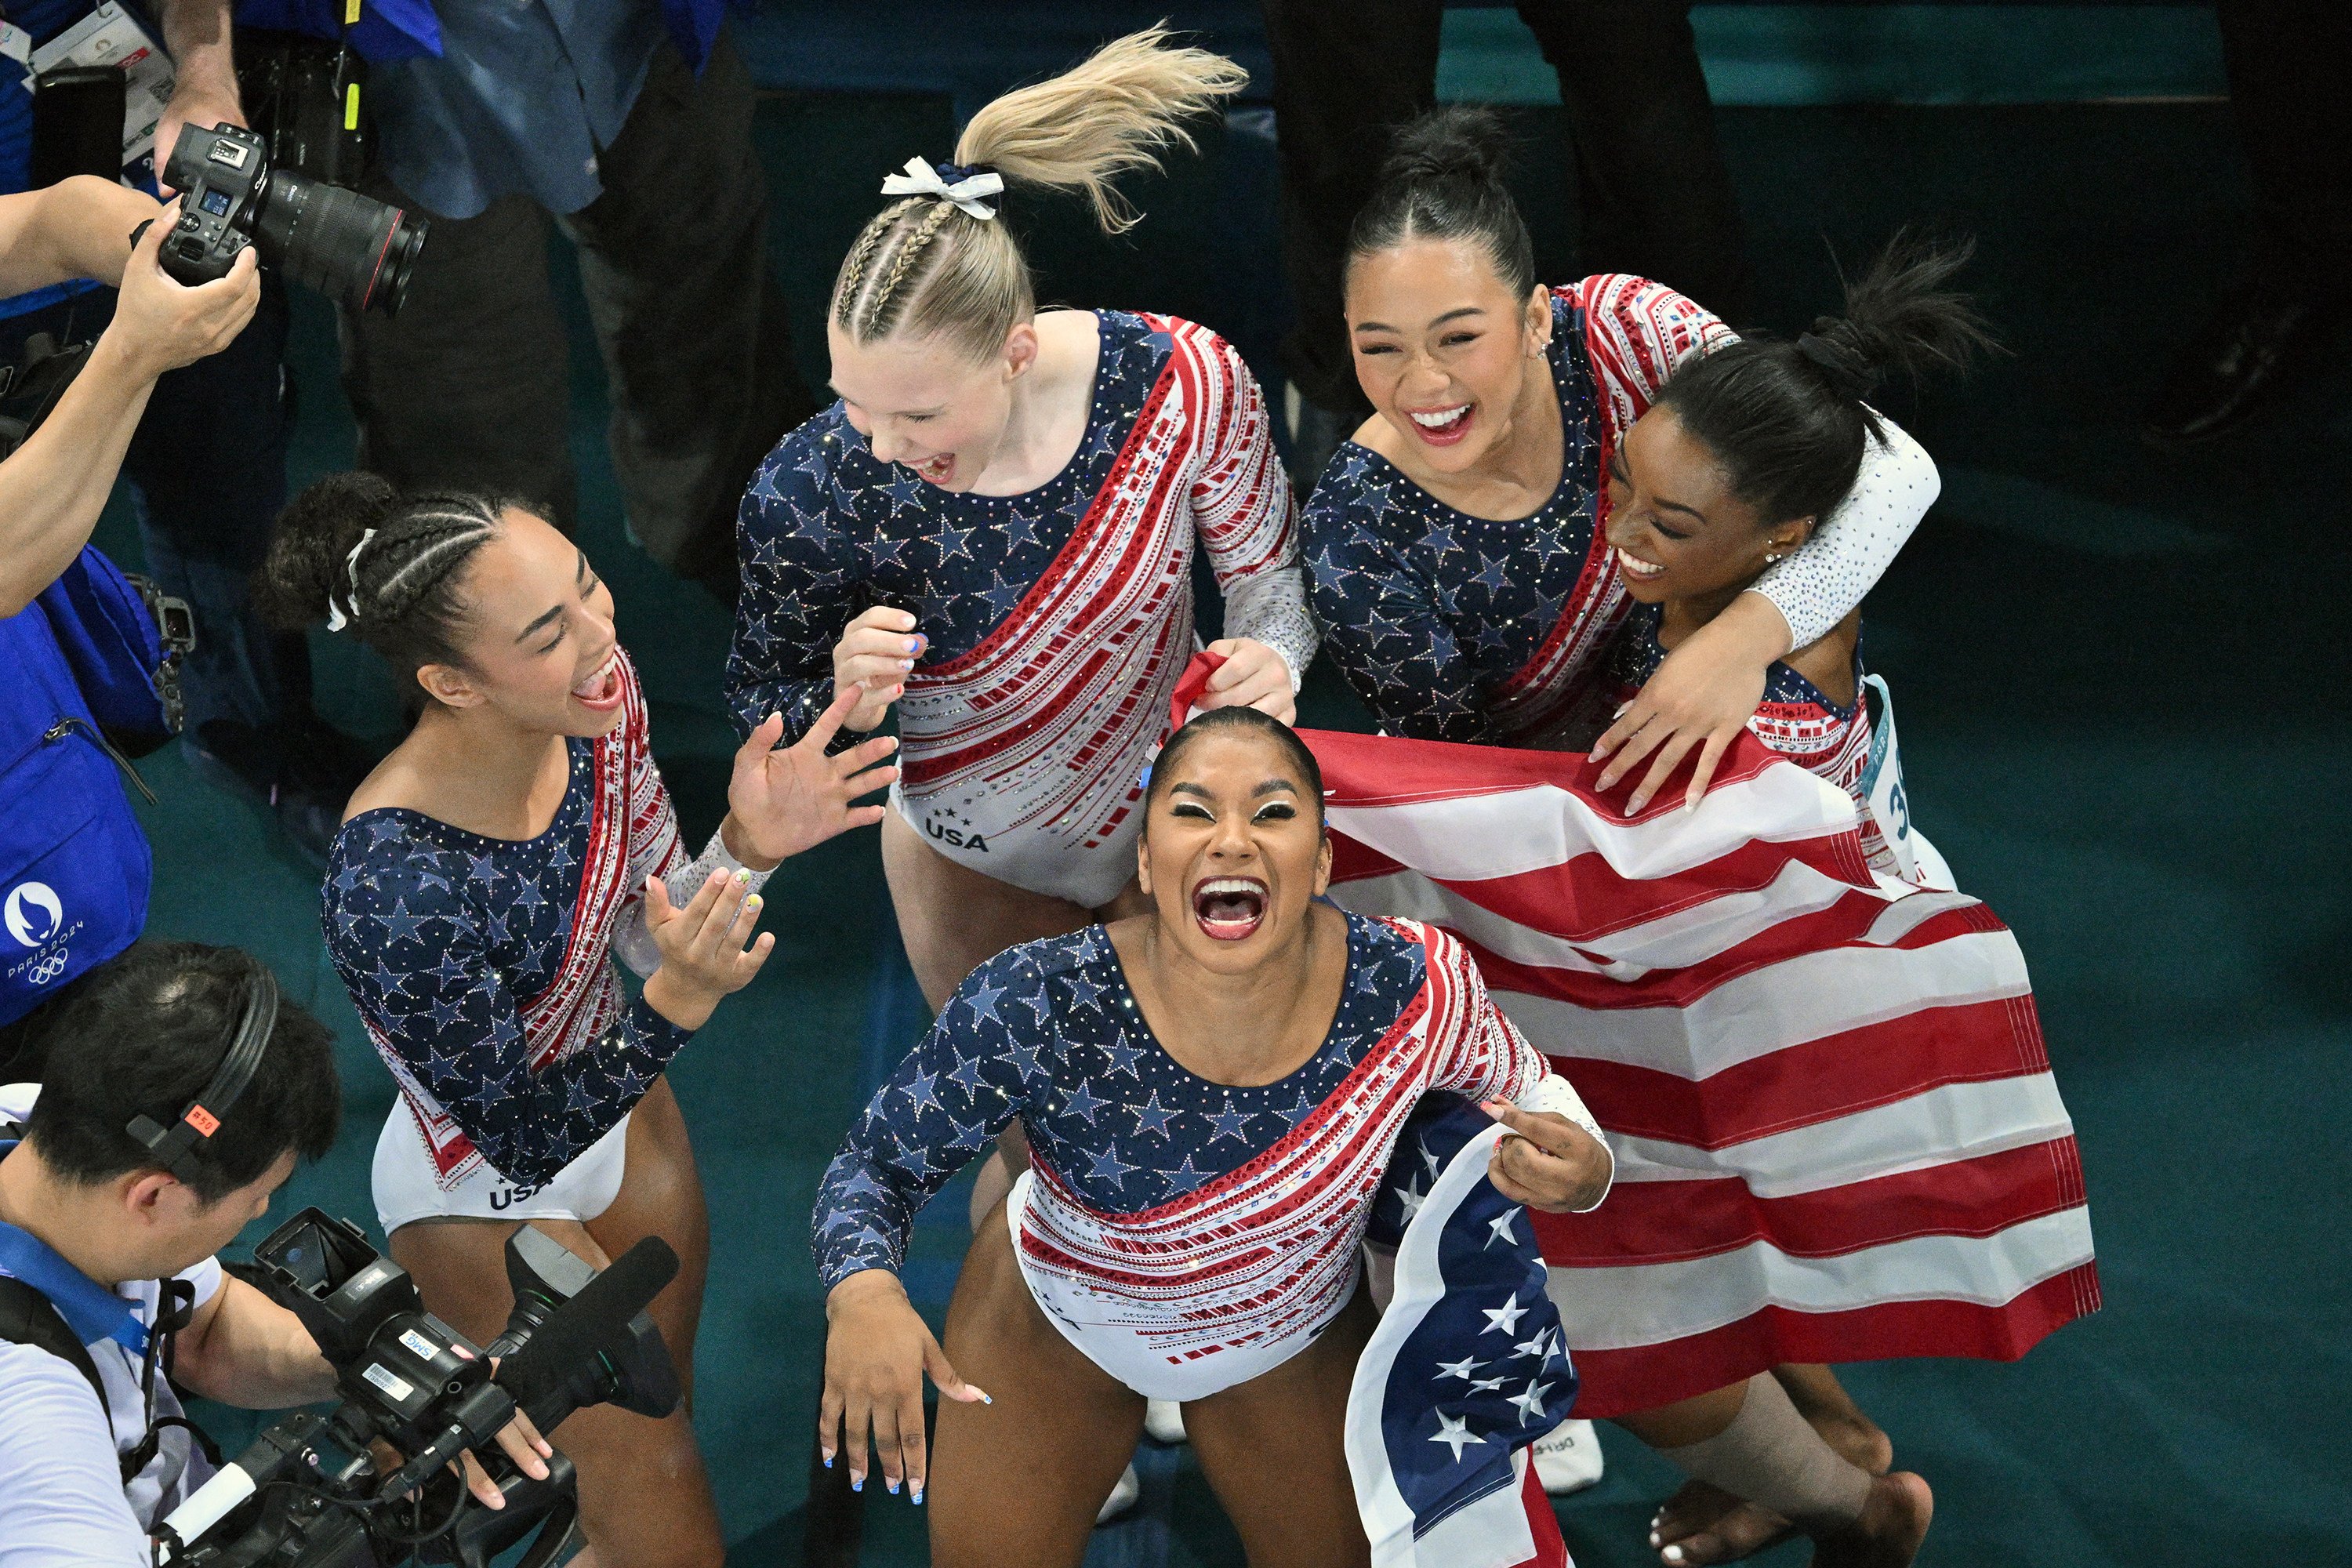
[(2123, 690)]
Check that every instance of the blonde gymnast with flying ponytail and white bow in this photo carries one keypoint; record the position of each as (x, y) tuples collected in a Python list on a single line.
[(994, 528)]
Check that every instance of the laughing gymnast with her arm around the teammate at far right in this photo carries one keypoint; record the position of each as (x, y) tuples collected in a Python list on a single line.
[(1457, 547)]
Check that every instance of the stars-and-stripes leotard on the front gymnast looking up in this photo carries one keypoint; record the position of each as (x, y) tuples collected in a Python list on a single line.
[(1187, 1235)]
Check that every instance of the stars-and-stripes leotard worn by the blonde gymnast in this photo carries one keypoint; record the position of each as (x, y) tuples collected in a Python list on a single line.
[(1057, 622)]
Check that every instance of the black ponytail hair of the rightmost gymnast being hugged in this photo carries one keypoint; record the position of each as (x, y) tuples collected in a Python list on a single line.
[(1789, 422)]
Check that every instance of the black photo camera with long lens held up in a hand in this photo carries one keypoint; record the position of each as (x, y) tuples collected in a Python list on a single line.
[(335, 241)]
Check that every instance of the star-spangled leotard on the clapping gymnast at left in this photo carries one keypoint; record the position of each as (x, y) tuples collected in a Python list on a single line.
[(483, 972)]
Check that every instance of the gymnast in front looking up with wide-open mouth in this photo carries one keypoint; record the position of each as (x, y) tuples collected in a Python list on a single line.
[(1212, 1092)]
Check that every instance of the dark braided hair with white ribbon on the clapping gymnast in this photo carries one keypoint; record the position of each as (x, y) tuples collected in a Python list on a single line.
[(401, 589)]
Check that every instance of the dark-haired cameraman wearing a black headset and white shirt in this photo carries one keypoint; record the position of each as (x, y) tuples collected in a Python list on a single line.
[(178, 1099)]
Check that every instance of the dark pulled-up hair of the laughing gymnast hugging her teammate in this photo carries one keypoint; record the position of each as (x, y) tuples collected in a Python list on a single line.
[(1443, 180)]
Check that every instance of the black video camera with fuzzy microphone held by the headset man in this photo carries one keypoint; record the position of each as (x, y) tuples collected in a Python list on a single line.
[(312, 1492)]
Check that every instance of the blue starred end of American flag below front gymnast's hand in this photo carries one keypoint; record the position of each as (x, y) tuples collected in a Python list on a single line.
[(1466, 1367)]
